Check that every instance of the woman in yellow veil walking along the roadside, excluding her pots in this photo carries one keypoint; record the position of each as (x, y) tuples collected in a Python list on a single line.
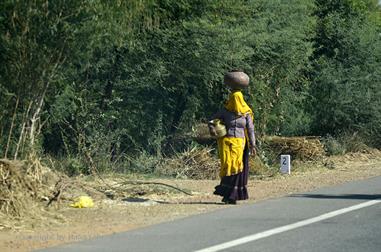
[(234, 148)]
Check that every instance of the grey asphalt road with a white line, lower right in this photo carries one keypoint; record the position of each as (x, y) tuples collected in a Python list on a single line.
[(341, 218)]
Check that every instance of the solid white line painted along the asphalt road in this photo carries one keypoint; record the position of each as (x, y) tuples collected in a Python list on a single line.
[(285, 228)]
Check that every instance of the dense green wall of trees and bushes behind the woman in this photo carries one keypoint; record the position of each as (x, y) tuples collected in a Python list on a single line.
[(98, 81)]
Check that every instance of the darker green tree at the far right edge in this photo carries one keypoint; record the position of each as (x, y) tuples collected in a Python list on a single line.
[(346, 79)]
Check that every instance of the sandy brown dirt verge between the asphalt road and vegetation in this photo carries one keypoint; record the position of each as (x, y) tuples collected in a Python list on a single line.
[(143, 209)]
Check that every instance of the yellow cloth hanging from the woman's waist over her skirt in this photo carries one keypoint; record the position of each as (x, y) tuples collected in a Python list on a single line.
[(230, 150)]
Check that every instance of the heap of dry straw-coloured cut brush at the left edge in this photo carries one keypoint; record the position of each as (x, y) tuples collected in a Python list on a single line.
[(24, 186)]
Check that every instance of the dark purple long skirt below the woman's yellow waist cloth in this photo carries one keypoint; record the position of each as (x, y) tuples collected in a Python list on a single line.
[(235, 187)]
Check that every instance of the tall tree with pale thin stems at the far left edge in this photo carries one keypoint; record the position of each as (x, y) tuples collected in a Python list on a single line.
[(41, 41)]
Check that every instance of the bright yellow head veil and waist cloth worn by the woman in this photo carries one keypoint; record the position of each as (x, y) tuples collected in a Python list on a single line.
[(231, 149)]
